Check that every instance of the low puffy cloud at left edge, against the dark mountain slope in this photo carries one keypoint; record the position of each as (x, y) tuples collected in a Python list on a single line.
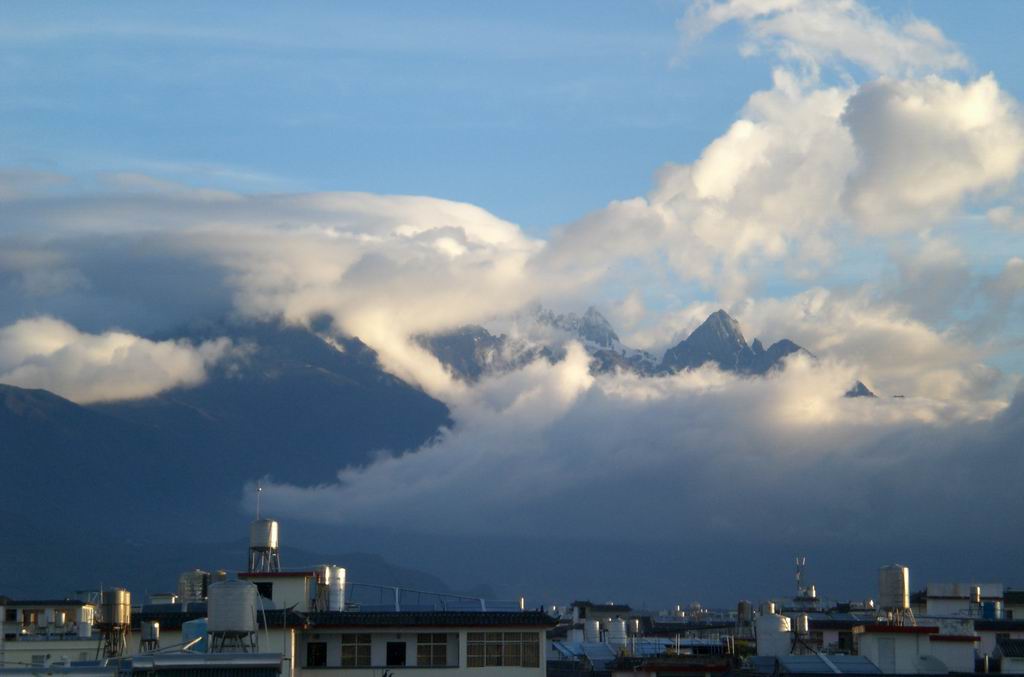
[(49, 354)]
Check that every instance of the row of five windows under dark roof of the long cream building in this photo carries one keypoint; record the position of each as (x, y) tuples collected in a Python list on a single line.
[(483, 650)]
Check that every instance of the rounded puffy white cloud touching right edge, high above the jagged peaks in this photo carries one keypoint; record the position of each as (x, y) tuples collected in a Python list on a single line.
[(926, 146)]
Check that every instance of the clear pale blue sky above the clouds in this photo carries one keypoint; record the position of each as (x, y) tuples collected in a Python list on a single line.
[(539, 112)]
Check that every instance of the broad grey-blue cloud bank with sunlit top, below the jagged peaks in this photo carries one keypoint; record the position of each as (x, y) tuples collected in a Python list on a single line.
[(551, 439)]
